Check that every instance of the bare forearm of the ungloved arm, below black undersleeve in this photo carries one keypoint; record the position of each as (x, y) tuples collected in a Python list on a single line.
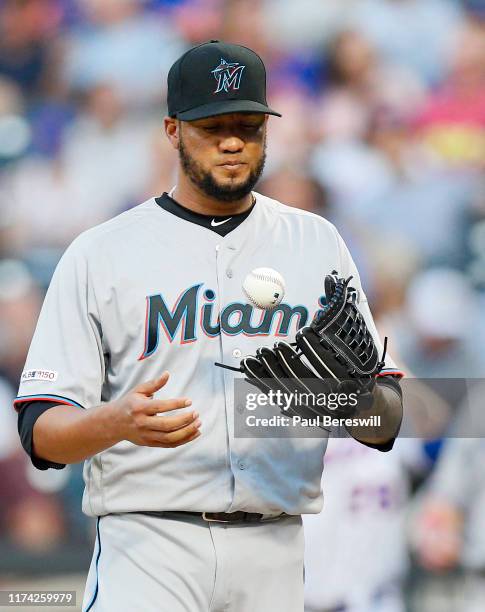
[(65, 434)]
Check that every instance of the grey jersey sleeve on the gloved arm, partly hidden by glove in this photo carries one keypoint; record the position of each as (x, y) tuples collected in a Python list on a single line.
[(348, 268)]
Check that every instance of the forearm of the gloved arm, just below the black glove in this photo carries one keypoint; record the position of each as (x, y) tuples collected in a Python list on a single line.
[(388, 406)]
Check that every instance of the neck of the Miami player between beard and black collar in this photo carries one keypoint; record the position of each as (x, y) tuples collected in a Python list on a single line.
[(190, 196)]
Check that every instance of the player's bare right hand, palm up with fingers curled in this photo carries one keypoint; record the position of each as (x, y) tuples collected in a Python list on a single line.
[(141, 419)]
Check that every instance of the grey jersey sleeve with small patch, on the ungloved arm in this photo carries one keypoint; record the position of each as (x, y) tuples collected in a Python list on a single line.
[(65, 362)]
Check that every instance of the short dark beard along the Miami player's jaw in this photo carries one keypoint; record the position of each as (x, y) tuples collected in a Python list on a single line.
[(204, 180)]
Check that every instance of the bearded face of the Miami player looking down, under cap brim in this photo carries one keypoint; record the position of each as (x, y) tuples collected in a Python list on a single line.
[(224, 156)]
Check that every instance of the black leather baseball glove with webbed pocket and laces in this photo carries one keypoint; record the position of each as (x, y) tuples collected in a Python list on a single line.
[(335, 354)]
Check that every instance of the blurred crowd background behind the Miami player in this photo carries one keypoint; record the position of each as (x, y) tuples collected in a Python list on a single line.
[(383, 133)]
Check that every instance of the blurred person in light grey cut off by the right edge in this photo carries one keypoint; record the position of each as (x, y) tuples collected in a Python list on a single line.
[(448, 528)]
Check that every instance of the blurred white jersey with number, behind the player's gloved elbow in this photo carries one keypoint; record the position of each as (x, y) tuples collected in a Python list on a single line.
[(356, 549)]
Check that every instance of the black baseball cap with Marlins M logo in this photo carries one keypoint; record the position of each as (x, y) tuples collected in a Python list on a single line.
[(215, 78)]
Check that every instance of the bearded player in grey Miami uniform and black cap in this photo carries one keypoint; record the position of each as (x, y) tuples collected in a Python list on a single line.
[(121, 374)]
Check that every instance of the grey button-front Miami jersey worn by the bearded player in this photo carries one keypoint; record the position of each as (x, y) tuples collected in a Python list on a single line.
[(148, 291)]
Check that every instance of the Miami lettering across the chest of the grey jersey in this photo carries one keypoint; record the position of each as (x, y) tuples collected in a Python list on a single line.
[(197, 309)]
